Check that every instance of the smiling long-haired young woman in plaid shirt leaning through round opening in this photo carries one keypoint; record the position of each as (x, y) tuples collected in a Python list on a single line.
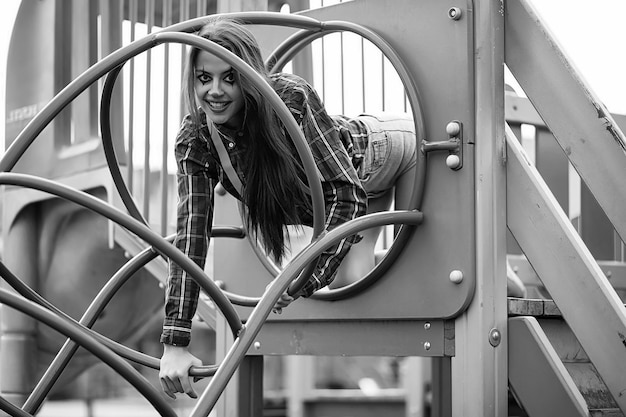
[(233, 136)]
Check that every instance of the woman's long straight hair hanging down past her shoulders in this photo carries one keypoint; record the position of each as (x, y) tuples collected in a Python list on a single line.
[(273, 193)]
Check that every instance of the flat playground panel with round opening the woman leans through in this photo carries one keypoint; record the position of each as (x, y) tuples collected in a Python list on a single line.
[(418, 284)]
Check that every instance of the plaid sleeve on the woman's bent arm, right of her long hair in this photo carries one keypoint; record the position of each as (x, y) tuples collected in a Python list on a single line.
[(344, 196)]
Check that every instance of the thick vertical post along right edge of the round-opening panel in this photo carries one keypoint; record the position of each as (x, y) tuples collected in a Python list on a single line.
[(479, 369)]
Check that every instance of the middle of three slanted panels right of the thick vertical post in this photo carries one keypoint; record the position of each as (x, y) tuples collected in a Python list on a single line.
[(557, 252)]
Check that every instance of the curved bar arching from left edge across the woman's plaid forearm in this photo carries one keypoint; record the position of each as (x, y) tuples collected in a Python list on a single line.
[(136, 227)]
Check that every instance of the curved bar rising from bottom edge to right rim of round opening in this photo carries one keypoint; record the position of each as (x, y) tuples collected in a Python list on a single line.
[(259, 315)]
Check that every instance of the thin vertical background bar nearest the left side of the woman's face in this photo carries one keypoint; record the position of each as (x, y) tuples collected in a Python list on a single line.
[(167, 13)]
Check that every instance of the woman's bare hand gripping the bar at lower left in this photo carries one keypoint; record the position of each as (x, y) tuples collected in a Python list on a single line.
[(174, 370)]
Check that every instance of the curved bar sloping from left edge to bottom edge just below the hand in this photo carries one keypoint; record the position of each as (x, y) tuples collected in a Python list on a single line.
[(77, 333)]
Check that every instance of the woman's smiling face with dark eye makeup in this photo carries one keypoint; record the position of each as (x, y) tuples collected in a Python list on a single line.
[(217, 90)]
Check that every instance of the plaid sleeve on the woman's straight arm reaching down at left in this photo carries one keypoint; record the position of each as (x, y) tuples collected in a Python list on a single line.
[(193, 226)]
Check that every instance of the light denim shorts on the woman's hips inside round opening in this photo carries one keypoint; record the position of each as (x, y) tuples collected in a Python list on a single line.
[(390, 152)]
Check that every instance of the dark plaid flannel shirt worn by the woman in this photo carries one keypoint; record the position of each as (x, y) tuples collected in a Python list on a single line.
[(335, 152)]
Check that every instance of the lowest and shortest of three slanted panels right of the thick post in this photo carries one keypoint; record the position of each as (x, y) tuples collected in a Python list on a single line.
[(536, 375)]
